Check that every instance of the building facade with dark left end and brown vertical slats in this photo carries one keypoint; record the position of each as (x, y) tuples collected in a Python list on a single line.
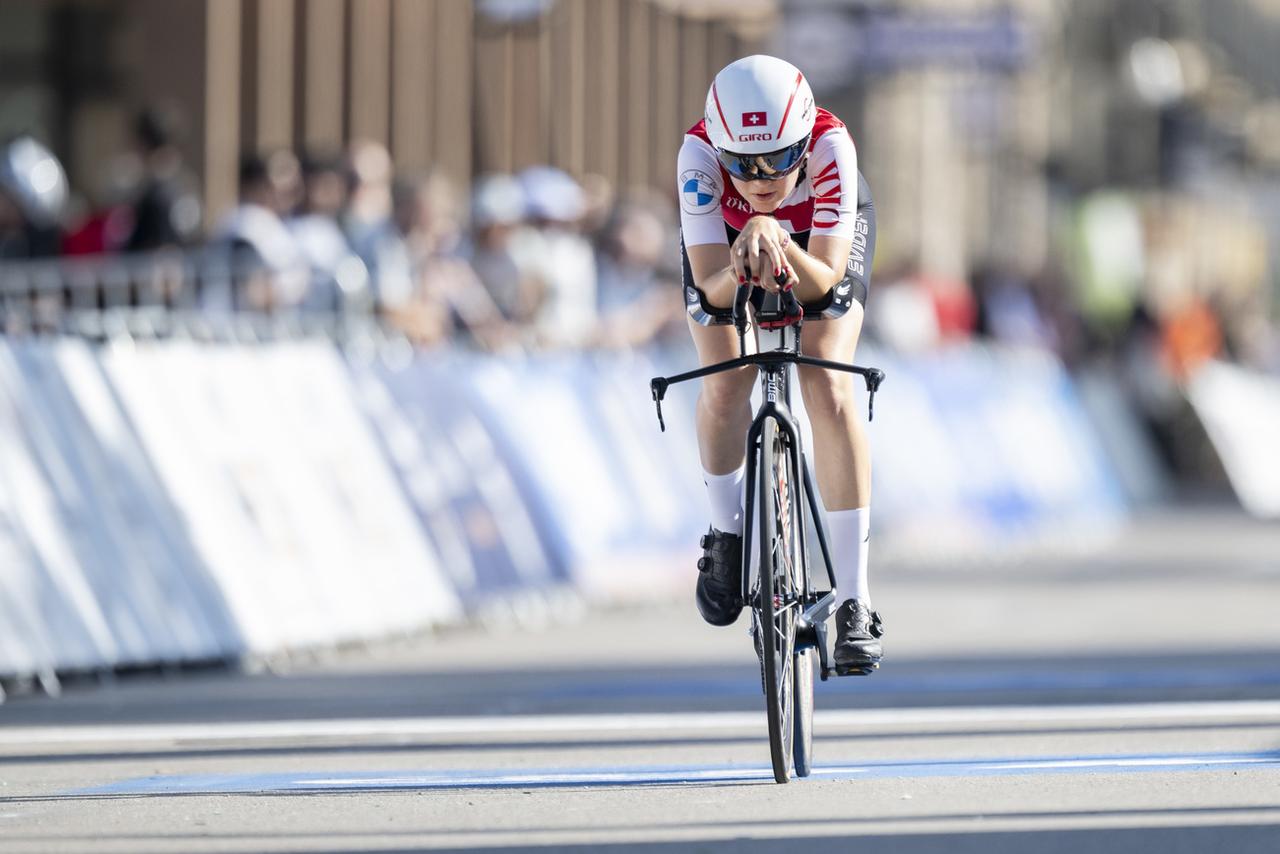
[(470, 86)]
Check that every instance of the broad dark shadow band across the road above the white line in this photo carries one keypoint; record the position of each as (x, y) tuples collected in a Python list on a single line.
[(1242, 674)]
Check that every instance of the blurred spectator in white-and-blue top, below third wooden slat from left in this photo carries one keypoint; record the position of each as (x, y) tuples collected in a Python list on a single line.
[(339, 277)]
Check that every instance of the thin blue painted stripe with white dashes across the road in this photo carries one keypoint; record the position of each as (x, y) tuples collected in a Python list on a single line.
[(673, 775)]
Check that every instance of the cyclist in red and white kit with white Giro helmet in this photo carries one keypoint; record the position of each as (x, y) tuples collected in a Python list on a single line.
[(770, 186)]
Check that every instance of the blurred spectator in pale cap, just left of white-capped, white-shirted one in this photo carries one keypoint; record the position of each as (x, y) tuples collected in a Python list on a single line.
[(497, 216)]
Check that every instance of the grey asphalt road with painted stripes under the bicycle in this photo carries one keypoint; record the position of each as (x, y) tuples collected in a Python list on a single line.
[(1124, 700)]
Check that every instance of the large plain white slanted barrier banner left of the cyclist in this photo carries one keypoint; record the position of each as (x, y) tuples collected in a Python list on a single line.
[(287, 497)]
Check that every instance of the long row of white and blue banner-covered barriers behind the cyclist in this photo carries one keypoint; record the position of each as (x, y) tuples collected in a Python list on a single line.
[(175, 501)]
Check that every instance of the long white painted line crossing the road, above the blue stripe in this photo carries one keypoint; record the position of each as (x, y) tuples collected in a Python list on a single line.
[(676, 723)]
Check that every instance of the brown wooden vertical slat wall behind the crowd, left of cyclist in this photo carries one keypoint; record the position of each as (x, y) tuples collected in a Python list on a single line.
[(592, 86)]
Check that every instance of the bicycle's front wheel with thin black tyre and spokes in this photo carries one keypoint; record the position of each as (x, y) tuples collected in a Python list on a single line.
[(778, 599)]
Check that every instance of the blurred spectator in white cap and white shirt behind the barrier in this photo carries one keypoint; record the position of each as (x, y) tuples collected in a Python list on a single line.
[(560, 257)]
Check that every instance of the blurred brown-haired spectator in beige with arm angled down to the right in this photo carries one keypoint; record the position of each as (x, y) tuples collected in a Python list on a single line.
[(447, 296)]
